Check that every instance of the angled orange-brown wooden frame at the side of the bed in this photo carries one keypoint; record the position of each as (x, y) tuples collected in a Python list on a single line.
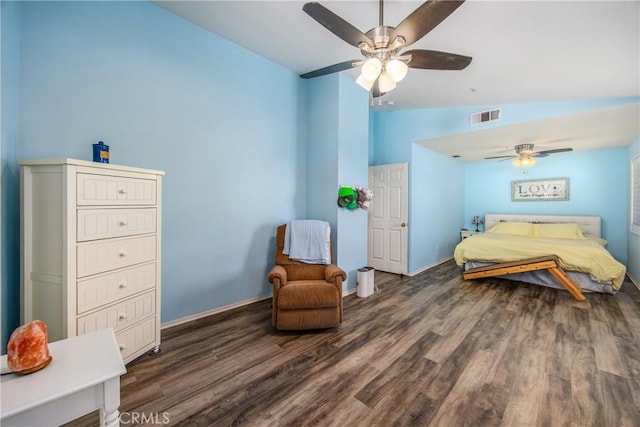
[(549, 263)]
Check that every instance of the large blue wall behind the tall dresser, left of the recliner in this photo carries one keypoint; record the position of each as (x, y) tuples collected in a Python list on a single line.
[(226, 125)]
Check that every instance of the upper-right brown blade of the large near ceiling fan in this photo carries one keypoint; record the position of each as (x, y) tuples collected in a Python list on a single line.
[(424, 19)]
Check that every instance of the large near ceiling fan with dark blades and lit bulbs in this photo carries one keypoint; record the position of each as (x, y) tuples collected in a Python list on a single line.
[(383, 64)]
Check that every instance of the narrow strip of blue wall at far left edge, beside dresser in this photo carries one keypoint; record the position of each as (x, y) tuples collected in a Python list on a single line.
[(9, 201)]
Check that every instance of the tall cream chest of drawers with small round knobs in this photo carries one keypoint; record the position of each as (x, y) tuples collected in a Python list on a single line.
[(91, 239)]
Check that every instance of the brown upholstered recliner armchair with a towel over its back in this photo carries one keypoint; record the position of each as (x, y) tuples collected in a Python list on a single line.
[(305, 296)]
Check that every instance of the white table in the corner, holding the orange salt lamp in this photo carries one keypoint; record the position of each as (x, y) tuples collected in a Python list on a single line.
[(83, 376)]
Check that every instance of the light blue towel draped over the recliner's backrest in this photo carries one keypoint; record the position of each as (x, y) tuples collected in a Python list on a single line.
[(308, 241)]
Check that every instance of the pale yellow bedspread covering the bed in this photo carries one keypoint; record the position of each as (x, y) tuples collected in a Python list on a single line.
[(584, 255)]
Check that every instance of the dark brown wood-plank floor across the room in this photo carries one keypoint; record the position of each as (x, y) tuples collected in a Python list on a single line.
[(428, 350)]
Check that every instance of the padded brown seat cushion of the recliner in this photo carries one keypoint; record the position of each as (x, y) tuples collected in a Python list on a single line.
[(308, 294)]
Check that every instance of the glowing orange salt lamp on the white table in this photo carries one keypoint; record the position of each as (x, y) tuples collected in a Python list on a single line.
[(28, 350)]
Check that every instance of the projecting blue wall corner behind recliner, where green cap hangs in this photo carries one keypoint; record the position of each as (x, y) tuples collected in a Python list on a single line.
[(338, 155)]
